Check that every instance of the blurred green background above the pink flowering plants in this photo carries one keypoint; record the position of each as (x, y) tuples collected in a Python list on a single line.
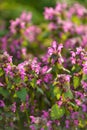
[(10, 9)]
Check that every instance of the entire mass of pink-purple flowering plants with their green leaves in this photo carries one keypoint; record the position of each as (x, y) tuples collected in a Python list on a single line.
[(42, 86)]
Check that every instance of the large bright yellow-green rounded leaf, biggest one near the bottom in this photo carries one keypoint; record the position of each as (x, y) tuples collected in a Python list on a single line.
[(57, 112)]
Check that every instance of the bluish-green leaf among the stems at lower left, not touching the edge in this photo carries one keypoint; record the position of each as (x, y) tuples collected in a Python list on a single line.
[(22, 94)]
